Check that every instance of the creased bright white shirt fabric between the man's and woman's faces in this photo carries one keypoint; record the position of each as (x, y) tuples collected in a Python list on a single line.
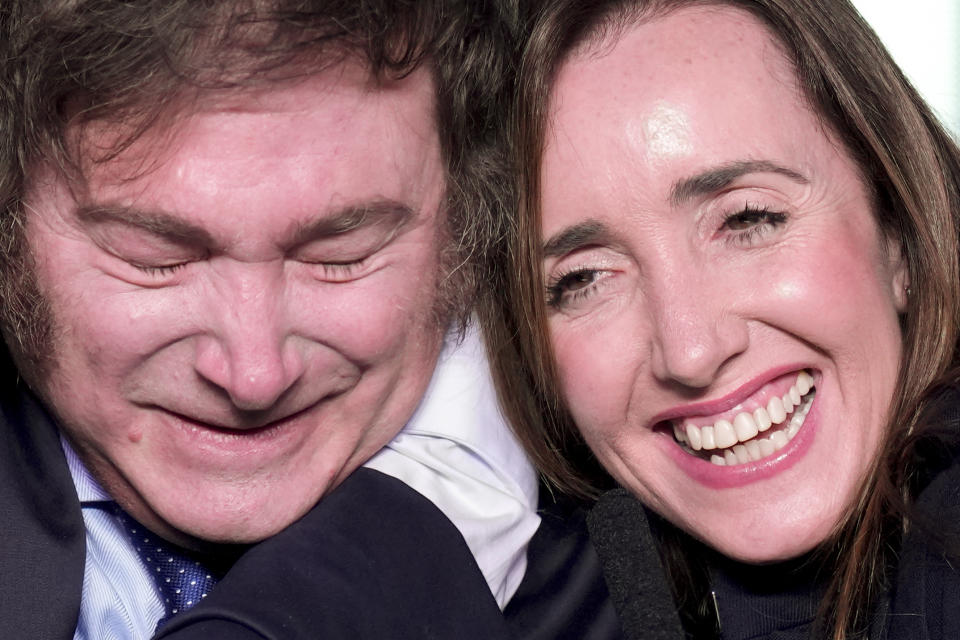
[(458, 451)]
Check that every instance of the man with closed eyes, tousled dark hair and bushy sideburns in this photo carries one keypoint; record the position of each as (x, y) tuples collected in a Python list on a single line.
[(235, 238)]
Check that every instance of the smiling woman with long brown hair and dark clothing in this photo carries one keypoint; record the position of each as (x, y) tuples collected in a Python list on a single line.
[(739, 264)]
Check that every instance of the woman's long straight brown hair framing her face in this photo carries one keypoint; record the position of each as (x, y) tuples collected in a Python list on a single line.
[(905, 156)]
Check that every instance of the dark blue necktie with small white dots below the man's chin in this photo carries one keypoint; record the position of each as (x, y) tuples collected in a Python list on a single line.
[(183, 581)]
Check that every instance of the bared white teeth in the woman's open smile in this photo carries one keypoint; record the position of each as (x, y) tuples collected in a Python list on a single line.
[(749, 436)]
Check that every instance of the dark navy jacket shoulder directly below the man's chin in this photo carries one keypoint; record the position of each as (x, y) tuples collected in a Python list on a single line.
[(373, 559)]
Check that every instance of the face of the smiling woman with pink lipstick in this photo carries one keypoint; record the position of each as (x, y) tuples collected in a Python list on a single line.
[(722, 304)]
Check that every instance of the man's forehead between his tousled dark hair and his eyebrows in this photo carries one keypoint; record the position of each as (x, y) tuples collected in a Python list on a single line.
[(335, 144)]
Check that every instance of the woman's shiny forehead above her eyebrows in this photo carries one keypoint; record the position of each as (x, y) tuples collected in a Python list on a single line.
[(678, 94)]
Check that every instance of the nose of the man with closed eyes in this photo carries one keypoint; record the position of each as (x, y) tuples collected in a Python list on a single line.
[(248, 350)]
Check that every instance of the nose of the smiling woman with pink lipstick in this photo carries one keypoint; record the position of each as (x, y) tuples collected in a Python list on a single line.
[(696, 330)]
